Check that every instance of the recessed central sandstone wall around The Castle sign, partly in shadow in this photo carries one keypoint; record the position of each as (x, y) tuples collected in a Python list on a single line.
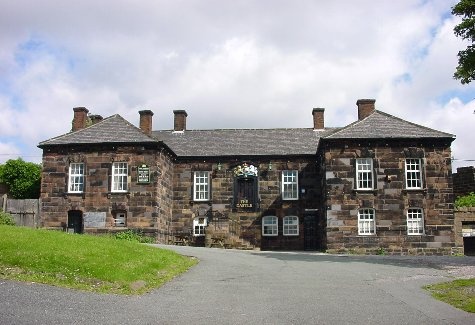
[(221, 204)]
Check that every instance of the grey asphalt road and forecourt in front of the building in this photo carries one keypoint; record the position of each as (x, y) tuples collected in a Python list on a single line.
[(248, 287)]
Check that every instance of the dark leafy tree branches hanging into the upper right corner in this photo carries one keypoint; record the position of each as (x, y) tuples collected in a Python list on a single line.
[(465, 71)]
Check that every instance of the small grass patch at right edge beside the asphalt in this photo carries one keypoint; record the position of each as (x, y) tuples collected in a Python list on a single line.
[(458, 293)]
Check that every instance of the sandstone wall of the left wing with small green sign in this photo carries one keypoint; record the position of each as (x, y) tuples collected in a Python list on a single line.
[(148, 206)]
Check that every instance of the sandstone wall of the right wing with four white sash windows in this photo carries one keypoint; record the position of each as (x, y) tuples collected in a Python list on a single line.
[(390, 199)]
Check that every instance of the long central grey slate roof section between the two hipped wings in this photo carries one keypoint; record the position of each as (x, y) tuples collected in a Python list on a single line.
[(242, 142)]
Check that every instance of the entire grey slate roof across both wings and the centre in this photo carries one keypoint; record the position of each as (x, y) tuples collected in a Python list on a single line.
[(247, 142)]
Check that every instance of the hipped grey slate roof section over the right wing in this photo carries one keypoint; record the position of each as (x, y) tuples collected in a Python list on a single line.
[(380, 125)]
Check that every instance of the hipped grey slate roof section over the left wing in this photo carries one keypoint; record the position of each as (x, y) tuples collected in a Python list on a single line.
[(113, 129)]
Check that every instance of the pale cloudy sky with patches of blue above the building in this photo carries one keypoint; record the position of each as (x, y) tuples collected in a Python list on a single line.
[(229, 64)]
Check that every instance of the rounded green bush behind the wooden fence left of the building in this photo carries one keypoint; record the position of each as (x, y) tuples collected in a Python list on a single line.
[(22, 178)]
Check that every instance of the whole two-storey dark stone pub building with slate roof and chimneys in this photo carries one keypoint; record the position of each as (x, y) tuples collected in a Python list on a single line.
[(380, 183)]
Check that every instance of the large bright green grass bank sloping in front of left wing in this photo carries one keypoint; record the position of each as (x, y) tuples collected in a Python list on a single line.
[(100, 264)]
